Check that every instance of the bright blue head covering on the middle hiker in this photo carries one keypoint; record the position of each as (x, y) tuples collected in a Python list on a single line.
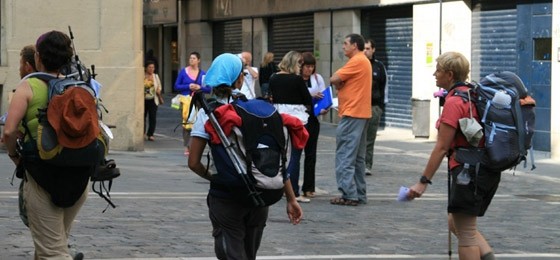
[(225, 69)]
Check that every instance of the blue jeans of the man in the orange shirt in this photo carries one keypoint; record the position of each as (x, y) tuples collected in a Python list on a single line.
[(351, 135)]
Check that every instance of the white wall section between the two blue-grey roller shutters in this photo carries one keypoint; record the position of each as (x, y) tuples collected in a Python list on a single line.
[(455, 36)]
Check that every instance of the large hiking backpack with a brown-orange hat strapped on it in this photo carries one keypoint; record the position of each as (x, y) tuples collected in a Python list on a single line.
[(80, 101)]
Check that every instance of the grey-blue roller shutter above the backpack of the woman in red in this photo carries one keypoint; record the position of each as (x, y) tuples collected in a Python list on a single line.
[(494, 37)]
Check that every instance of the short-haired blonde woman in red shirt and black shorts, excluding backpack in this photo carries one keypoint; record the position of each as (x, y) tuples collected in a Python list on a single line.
[(470, 193)]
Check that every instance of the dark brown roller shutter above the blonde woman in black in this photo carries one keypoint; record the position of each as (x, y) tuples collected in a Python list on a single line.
[(290, 33)]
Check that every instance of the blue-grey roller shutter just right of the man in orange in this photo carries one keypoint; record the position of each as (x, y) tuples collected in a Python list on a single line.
[(391, 28)]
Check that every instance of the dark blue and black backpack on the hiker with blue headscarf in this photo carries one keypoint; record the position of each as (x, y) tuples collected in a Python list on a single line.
[(261, 143)]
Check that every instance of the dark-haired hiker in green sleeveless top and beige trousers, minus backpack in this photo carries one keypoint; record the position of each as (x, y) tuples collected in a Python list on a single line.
[(53, 195)]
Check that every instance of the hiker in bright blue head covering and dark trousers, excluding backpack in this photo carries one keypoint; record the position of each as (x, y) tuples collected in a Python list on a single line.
[(237, 227)]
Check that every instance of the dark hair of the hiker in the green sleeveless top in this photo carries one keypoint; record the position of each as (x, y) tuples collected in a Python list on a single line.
[(55, 50)]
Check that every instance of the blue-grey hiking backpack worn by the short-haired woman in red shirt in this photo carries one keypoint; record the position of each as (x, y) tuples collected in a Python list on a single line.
[(507, 115)]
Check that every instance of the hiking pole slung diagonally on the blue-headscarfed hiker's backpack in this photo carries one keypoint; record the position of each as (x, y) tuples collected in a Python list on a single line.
[(253, 193)]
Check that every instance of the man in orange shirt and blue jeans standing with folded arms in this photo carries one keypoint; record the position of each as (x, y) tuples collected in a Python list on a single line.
[(353, 82)]
